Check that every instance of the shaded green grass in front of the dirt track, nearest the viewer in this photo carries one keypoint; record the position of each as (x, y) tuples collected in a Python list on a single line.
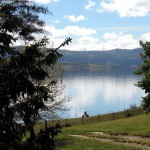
[(71, 143)]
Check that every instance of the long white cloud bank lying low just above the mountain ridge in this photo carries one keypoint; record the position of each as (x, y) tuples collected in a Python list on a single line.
[(88, 38)]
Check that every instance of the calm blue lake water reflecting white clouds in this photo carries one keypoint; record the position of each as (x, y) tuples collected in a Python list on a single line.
[(100, 91)]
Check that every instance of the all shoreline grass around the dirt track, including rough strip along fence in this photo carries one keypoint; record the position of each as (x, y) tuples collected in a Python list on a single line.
[(134, 125)]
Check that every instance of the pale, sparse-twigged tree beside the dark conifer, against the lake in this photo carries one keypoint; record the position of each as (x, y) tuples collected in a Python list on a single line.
[(55, 84)]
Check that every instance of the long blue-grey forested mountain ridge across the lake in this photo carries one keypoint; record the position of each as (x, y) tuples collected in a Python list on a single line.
[(112, 58)]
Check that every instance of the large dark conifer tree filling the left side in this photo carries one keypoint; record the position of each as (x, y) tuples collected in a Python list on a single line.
[(22, 74)]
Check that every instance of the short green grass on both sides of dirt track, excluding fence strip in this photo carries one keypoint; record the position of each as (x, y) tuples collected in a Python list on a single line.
[(136, 125)]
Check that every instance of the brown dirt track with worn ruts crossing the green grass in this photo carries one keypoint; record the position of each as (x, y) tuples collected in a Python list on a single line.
[(135, 141)]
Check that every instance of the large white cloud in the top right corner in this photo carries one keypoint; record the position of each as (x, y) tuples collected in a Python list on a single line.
[(126, 8)]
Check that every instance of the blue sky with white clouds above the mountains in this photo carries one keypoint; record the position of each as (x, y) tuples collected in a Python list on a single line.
[(97, 24)]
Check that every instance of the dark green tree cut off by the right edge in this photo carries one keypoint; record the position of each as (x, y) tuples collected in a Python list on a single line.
[(144, 71)]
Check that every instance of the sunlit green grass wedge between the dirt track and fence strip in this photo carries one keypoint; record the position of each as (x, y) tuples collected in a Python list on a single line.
[(136, 125)]
